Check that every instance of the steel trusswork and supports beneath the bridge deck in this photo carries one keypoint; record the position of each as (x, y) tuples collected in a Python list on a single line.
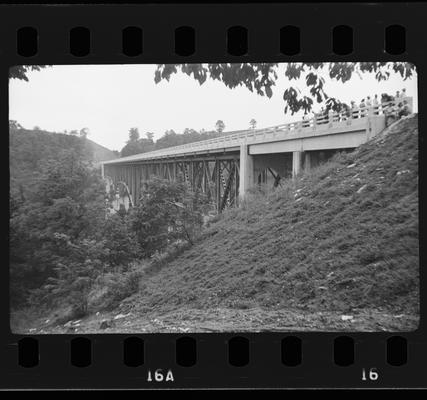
[(223, 179)]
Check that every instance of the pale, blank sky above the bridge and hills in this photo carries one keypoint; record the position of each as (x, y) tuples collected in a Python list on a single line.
[(111, 99)]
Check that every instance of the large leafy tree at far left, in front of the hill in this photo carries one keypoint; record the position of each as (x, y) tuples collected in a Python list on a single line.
[(67, 199)]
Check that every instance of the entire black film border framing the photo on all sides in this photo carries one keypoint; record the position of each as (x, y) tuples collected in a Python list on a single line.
[(233, 33)]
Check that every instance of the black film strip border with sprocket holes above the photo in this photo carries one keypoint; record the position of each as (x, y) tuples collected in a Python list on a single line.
[(124, 34)]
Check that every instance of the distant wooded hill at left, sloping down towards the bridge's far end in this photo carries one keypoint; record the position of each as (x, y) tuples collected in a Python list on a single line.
[(29, 149)]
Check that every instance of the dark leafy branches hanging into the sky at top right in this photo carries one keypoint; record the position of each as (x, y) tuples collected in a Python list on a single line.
[(261, 78)]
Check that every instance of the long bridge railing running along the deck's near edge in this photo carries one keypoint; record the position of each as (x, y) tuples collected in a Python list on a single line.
[(234, 138)]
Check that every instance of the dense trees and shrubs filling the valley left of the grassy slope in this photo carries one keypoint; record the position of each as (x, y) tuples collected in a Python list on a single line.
[(69, 256)]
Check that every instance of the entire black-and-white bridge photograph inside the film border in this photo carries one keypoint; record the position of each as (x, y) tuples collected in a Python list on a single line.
[(224, 197)]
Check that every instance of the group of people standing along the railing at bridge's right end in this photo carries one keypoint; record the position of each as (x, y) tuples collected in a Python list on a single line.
[(397, 106)]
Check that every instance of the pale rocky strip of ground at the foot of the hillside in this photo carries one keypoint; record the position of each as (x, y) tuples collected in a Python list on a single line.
[(230, 320)]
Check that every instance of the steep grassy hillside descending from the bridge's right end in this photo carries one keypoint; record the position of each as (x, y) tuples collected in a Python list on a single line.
[(342, 238)]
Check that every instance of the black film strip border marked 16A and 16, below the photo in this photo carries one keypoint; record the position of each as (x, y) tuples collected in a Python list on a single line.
[(243, 360)]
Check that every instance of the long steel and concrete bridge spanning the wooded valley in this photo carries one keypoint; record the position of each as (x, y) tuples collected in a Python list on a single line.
[(226, 167)]
